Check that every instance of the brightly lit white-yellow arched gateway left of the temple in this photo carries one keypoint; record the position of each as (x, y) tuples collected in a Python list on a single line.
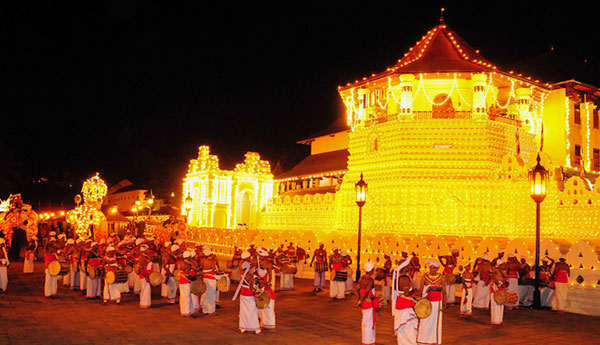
[(226, 199)]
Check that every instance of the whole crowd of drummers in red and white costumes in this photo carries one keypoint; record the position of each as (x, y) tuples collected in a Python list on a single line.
[(190, 274)]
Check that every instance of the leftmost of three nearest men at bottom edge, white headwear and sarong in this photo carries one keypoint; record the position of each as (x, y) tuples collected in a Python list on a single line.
[(368, 303)]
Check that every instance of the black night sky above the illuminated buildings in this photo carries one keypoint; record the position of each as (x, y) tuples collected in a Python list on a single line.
[(131, 90)]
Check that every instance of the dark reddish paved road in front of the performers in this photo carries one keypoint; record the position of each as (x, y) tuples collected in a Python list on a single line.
[(26, 317)]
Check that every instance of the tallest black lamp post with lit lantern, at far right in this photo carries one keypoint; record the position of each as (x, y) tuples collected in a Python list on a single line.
[(538, 178)]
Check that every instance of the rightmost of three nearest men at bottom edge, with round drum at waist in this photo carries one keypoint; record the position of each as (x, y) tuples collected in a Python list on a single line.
[(433, 288)]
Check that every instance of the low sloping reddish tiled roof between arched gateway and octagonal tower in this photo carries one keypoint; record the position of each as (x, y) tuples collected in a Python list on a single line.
[(320, 163)]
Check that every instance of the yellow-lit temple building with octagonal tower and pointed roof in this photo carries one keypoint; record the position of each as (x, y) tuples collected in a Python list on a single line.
[(445, 139)]
